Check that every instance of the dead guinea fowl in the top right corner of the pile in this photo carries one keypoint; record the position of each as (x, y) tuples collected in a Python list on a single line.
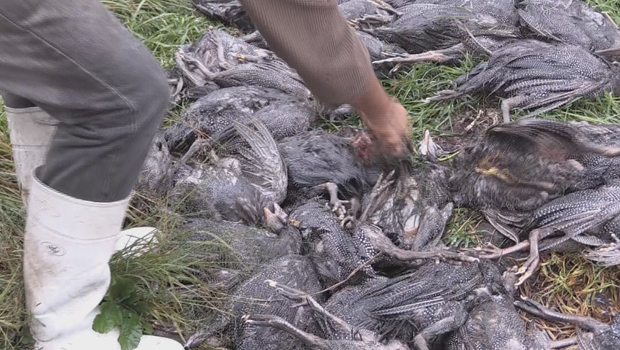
[(570, 21)]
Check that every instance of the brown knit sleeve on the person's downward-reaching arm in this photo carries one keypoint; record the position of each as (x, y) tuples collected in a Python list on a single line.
[(313, 37)]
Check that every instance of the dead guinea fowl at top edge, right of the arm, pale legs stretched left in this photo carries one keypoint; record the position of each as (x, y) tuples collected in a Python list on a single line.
[(443, 32)]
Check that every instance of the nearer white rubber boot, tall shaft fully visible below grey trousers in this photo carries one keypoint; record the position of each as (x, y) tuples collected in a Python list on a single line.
[(67, 247)]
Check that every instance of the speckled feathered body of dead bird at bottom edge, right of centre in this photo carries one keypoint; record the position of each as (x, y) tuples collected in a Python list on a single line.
[(418, 307)]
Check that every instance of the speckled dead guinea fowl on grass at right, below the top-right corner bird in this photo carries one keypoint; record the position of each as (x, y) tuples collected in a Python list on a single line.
[(538, 76)]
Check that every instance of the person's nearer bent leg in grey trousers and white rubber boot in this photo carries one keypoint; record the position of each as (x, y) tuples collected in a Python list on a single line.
[(74, 60)]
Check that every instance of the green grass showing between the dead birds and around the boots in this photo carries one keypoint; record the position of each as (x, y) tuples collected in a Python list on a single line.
[(165, 275)]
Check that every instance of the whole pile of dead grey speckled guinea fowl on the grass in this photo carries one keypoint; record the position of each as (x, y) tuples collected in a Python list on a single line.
[(336, 248)]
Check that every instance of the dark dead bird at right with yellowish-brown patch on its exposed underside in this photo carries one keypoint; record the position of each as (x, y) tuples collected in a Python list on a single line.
[(513, 169)]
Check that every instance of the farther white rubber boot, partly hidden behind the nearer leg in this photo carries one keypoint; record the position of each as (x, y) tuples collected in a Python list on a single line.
[(31, 130)]
